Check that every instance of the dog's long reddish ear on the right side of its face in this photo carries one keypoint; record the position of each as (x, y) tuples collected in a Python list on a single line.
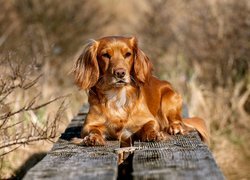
[(142, 65)]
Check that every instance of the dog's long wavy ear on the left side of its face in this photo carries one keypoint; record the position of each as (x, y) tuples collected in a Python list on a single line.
[(86, 68)]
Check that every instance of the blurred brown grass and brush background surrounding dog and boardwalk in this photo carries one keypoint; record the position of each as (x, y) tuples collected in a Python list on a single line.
[(201, 47)]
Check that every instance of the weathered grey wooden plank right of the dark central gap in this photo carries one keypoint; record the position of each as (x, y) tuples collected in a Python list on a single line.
[(183, 157)]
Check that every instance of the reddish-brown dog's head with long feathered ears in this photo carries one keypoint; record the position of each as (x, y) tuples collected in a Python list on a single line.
[(110, 62)]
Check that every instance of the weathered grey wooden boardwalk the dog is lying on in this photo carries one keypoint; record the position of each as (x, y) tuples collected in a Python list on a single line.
[(183, 157)]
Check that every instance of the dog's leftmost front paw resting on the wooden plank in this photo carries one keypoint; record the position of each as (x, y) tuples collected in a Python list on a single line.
[(93, 140)]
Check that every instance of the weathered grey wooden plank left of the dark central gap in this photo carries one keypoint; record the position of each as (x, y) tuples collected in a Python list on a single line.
[(69, 161)]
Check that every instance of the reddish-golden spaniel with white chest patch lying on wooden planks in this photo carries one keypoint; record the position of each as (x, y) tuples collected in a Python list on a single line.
[(126, 100)]
